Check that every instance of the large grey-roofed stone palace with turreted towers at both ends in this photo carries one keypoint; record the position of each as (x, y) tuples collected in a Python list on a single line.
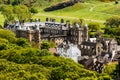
[(50, 30)]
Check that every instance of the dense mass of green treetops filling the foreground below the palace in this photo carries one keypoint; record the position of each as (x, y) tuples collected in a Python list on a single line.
[(17, 61)]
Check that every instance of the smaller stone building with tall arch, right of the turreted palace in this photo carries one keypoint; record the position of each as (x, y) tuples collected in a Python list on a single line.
[(99, 46)]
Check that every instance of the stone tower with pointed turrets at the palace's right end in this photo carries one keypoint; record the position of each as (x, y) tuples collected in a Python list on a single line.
[(78, 34)]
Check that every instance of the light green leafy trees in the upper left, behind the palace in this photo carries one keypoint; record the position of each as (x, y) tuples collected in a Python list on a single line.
[(21, 12)]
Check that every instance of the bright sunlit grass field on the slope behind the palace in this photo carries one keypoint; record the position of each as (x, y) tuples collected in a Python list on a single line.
[(89, 11)]
